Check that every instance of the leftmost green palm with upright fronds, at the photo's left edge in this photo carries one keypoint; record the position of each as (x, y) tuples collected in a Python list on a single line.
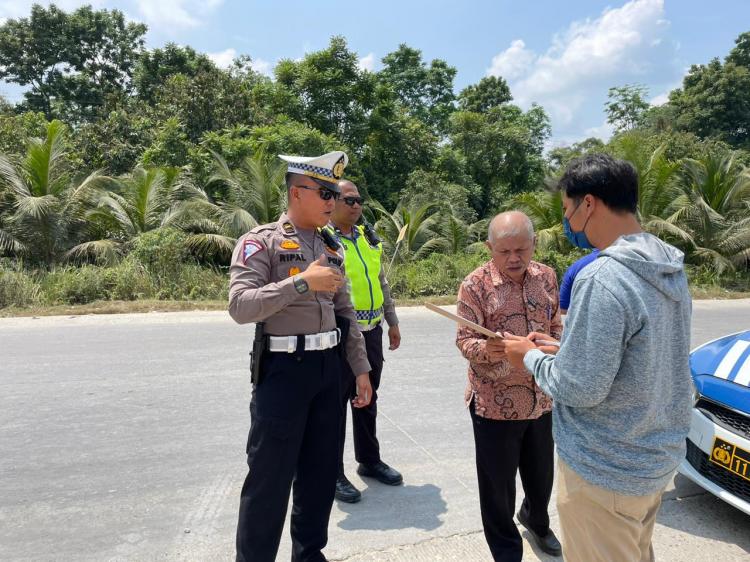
[(47, 206)]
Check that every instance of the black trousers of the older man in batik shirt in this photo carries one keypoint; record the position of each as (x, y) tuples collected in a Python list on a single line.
[(502, 448)]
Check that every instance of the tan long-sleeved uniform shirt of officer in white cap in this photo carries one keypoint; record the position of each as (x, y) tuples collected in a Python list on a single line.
[(261, 288)]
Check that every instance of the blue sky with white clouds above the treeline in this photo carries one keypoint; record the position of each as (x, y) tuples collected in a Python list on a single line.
[(563, 55)]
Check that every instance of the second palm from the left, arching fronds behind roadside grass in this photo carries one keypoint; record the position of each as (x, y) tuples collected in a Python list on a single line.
[(146, 200)]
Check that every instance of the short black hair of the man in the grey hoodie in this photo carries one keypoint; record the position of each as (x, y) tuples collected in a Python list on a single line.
[(612, 180)]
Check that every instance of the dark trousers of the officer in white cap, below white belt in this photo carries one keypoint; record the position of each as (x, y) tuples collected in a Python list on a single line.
[(293, 437)]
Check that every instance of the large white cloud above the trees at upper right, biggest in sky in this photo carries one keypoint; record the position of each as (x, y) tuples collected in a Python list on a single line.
[(571, 78)]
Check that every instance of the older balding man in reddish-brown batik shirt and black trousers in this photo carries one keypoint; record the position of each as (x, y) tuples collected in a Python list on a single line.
[(510, 413)]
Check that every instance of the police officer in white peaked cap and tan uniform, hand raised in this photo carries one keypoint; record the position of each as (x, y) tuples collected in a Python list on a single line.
[(290, 277)]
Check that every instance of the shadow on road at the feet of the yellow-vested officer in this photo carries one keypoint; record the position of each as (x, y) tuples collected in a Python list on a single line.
[(399, 507)]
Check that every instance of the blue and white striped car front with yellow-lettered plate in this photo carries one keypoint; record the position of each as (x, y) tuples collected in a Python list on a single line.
[(718, 445)]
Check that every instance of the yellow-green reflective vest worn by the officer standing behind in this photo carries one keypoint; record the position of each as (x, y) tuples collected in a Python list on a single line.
[(362, 266)]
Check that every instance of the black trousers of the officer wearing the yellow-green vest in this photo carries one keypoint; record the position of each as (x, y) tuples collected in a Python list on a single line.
[(366, 446)]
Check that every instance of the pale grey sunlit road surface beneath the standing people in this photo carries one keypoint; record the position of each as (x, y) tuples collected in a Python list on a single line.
[(122, 438)]
